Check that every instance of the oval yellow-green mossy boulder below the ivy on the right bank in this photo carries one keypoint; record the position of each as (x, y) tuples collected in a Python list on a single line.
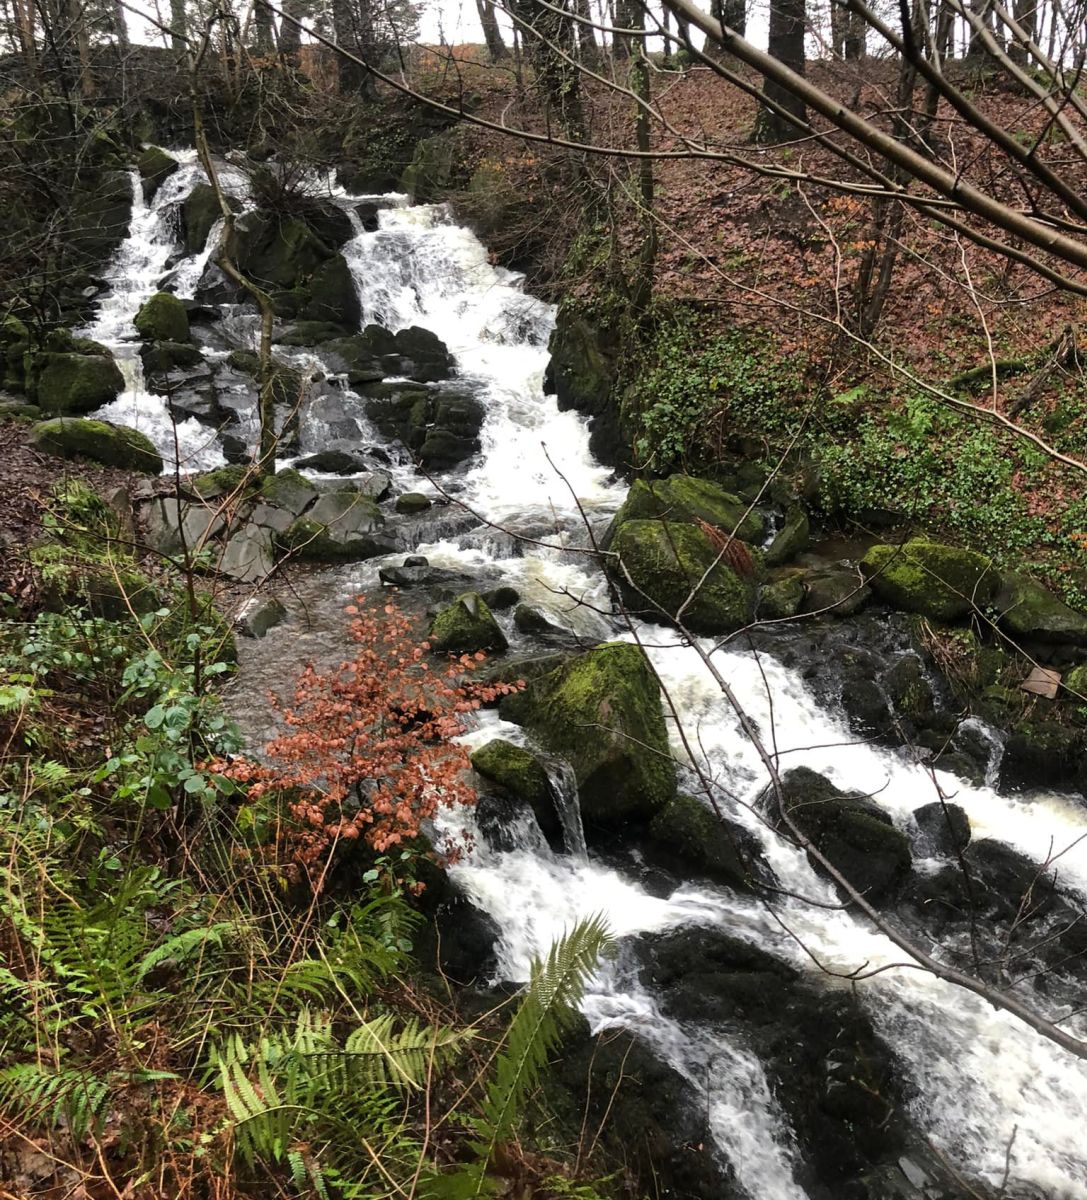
[(938, 581)]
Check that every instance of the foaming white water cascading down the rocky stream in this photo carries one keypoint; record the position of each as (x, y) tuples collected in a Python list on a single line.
[(982, 1077)]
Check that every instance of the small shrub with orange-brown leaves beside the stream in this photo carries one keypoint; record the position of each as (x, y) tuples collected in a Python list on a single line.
[(369, 751)]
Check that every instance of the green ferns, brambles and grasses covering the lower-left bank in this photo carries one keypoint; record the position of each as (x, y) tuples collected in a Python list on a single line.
[(178, 1016)]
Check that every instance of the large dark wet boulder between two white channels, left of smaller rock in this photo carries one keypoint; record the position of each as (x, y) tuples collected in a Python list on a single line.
[(851, 831)]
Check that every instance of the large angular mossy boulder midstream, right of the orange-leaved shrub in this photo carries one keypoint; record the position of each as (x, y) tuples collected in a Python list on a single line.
[(602, 711)]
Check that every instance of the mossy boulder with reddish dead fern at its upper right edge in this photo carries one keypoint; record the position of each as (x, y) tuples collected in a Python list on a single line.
[(658, 566)]
